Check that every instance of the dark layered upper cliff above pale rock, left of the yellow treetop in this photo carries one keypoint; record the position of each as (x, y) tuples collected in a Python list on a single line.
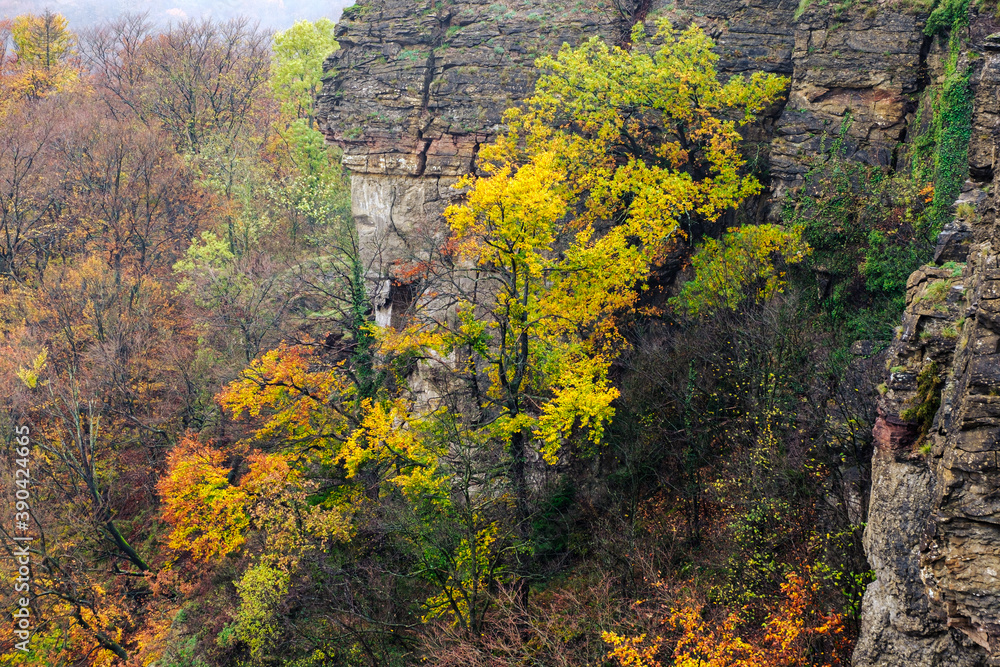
[(418, 84)]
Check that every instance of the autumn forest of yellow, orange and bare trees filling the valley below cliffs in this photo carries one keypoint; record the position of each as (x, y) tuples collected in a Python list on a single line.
[(617, 416)]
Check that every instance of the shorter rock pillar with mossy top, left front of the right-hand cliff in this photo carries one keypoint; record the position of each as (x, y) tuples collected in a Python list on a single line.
[(900, 625)]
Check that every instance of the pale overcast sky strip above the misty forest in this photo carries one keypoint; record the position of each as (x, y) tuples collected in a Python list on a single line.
[(274, 14)]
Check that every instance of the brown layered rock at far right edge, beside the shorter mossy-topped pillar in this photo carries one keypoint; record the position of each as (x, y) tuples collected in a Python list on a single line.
[(960, 549)]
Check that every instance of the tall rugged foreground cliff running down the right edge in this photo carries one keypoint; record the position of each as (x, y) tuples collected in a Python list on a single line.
[(934, 533)]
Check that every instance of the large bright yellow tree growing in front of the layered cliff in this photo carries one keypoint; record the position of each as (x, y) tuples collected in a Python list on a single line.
[(561, 227)]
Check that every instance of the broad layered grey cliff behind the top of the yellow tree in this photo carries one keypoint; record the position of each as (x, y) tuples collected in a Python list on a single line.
[(417, 87)]
